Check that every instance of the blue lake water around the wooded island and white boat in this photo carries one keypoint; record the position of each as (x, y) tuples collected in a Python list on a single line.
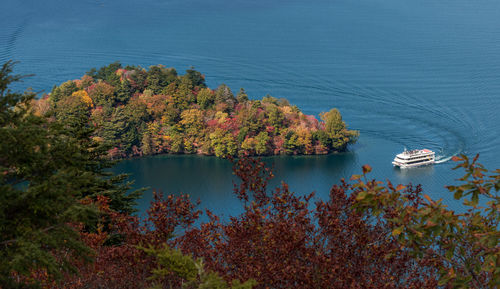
[(415, 74)]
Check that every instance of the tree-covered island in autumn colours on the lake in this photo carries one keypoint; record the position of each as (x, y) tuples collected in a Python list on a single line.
[(140, 112)]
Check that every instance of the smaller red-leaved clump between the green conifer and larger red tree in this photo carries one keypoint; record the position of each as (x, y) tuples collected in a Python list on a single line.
[(119, 262)]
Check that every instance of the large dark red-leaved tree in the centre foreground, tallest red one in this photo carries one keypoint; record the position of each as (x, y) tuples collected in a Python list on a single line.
[(282, 240)]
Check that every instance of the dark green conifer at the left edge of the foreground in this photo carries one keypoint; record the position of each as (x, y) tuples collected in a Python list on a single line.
[(46, 170)]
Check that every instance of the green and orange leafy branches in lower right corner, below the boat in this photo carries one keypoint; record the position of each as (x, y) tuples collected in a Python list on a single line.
[(466, 245)]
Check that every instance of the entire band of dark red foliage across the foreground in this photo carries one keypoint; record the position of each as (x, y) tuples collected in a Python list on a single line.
[(282, 240)]
